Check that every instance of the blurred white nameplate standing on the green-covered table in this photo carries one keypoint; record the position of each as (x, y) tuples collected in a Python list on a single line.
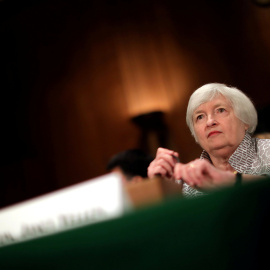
[(85, 203)]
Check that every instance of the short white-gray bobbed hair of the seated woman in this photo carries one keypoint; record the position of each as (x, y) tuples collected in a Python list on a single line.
[(242, 106)]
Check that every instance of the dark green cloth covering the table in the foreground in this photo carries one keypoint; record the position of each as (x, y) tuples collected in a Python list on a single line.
[(227, 229)]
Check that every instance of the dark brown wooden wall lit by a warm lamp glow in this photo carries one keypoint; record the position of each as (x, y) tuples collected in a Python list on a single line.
[(73, 74)]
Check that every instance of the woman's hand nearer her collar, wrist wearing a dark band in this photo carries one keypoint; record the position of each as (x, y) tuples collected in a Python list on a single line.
[(203, 175)]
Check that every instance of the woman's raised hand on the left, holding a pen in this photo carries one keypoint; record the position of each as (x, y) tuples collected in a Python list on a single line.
[(163, 164)]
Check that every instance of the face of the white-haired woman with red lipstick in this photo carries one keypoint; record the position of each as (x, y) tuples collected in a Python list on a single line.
[(217, 127)]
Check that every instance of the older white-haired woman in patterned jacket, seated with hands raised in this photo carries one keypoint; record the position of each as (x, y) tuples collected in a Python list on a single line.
[(222, 120)]
